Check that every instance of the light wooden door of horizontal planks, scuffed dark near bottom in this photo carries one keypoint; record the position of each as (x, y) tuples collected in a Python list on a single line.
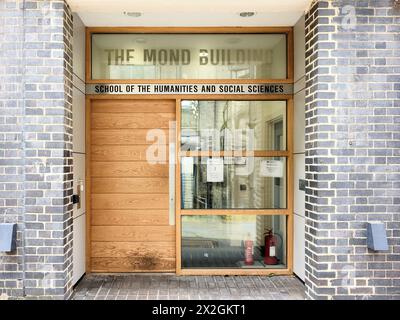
[(130, 230)]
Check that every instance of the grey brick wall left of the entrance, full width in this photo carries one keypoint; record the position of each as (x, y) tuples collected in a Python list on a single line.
[(36, 147)]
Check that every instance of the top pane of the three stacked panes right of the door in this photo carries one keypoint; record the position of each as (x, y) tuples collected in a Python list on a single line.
[(233, 125)]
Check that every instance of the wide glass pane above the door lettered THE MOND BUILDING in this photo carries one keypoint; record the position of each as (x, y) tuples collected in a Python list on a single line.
[(189, 56)]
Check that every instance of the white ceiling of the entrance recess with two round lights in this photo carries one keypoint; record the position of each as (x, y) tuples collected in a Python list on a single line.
[(97, 13)]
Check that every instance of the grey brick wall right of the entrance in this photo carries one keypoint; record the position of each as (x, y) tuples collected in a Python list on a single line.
[(352, 148)]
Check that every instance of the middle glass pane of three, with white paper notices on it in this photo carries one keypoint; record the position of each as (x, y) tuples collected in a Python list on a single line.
[(233, 183)]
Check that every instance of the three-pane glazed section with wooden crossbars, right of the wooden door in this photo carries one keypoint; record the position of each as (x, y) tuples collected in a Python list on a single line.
[(234, 209)]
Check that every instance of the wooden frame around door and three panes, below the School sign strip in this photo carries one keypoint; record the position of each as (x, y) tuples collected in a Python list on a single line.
[(288, 153)]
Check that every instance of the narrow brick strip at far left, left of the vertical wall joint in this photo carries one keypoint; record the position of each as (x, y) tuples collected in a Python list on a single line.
[(11, 149)]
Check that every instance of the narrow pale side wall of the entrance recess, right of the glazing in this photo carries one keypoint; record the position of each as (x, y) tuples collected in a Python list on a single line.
[(299, 146)]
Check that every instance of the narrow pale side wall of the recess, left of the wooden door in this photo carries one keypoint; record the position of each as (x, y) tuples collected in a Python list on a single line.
[(78, 115)]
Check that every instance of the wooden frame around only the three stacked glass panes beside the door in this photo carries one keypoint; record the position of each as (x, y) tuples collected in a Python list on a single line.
[(288, 212)]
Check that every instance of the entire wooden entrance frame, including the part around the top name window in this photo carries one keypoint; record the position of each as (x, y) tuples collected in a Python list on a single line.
[(288, 212)]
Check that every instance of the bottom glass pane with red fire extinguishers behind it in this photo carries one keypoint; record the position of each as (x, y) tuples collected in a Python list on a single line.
[(234, 241)]
